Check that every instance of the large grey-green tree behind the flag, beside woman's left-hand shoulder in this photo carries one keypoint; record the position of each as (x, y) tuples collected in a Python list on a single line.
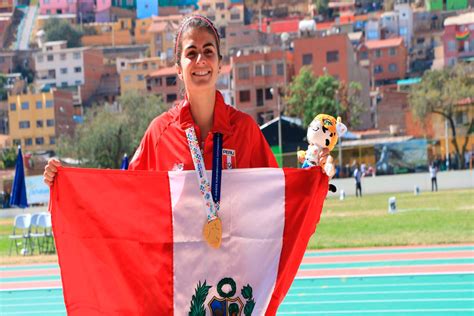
[(108, 133)]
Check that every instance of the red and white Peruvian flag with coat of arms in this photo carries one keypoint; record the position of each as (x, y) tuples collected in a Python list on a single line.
[(130, 242)]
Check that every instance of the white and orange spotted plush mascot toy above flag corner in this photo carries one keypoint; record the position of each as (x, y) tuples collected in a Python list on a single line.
[(323, 132)]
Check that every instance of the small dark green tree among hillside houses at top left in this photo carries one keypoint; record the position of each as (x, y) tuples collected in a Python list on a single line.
[(61, 30)]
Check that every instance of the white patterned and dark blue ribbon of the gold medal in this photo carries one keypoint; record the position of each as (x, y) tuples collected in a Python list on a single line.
[(211, 196)]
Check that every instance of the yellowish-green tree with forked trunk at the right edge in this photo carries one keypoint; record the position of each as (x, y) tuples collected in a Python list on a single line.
[(440, 92)]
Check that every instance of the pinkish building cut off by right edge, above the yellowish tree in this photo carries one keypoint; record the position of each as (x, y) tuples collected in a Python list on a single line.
[(458, 38)]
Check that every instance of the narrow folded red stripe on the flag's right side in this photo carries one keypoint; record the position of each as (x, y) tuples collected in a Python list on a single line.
[(303, 188)]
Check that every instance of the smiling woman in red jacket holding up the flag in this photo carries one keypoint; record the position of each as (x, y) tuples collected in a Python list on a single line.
[(165, 147)]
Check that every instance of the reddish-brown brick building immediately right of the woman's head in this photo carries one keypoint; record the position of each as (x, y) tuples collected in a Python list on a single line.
[(258, 77)]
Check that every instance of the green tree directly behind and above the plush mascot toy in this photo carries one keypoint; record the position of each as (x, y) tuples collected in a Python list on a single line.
[(309, 96)]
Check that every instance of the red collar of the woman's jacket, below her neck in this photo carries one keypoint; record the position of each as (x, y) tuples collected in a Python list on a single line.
[(221, 122)]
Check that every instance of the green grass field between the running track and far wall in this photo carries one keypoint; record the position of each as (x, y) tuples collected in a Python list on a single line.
[(429, 218)]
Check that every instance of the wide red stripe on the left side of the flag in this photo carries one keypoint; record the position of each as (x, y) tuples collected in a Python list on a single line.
[(115, 248)]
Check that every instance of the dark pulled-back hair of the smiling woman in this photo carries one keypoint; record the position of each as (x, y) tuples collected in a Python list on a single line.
[(195, 22)]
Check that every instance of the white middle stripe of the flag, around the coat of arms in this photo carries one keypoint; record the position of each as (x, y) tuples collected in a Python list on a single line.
[(253, 216)]
